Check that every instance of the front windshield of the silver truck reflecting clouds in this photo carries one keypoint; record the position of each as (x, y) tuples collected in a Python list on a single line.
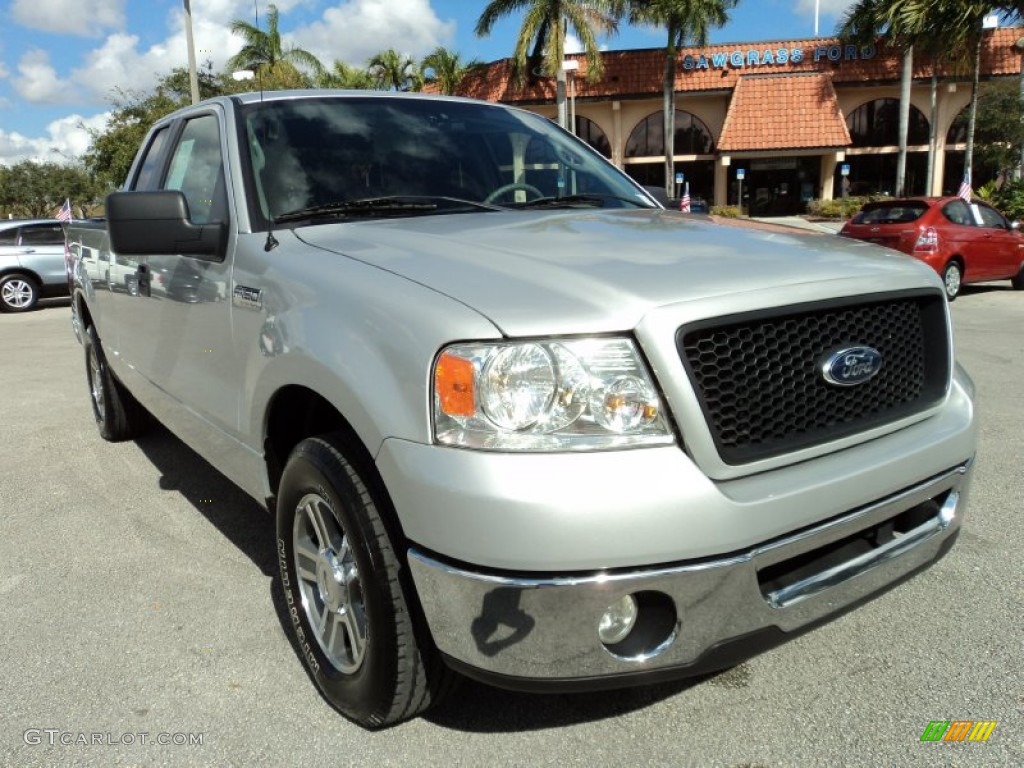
[(319, 153)]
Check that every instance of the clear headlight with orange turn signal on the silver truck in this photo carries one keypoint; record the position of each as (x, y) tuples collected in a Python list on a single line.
[(567, 395)]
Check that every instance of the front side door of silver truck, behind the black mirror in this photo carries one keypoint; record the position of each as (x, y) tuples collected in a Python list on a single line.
[(184, 338)]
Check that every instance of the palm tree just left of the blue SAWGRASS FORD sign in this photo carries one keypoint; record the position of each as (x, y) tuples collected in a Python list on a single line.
[(687, 22)]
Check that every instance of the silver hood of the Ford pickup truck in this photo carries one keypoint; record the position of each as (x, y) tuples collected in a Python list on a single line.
[(539, 273)]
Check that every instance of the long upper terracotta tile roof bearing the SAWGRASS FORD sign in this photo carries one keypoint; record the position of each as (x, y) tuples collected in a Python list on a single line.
[(638, 73)]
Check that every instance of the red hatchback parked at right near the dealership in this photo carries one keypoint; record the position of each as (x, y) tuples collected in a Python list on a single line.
[(963, 243)]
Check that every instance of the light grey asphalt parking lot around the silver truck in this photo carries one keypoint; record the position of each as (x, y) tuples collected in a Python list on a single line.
[(140, 604)]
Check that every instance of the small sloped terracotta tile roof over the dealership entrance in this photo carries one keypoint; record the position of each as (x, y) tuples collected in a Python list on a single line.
[(777, 112)]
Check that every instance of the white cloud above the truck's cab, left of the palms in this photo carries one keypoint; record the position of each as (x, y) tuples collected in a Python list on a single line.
[(355, 31)]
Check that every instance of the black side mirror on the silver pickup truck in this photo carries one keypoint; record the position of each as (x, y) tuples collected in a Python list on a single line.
[(150, 224)]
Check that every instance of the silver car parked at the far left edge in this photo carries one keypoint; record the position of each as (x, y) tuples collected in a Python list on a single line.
[(32, 264)]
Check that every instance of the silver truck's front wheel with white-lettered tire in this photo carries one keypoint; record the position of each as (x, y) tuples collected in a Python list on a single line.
[(352, 615)]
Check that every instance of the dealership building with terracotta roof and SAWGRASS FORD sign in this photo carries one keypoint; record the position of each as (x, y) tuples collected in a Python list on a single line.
[(786, 122)]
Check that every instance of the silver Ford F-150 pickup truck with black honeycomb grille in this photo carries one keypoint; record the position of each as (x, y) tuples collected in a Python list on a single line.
[(516, 420)]
